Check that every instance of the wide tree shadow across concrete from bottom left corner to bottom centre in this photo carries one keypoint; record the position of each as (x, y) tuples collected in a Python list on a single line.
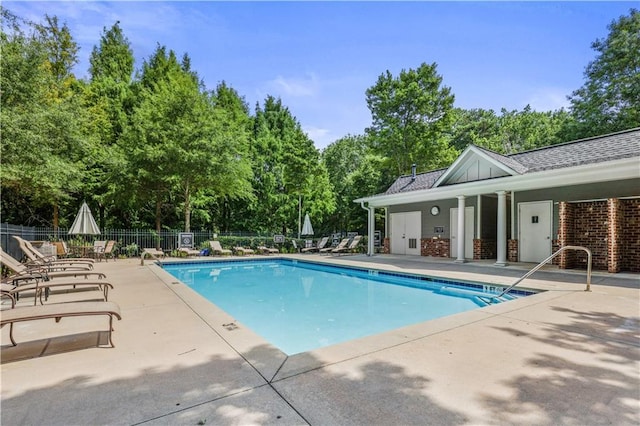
[(212, 393)]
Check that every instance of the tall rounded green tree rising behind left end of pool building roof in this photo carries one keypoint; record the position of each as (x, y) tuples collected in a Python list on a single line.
[(411, 116)]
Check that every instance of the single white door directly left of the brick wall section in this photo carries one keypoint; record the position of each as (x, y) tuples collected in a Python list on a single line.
[(534, 226)]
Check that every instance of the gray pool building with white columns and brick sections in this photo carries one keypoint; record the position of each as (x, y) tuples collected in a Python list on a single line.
[(521, 207)]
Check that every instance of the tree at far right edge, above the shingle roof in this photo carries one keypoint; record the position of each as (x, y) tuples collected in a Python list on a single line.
[(609, 100)]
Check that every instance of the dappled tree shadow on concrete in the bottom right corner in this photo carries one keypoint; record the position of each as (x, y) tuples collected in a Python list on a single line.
[(600, 371)]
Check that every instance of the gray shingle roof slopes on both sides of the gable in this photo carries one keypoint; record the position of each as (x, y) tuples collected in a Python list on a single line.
[(594, 150)]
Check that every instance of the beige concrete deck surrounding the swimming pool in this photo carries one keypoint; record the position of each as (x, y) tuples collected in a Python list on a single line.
[(564, 356)]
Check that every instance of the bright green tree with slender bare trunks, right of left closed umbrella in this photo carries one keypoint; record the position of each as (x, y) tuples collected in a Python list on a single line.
[(181, 147)]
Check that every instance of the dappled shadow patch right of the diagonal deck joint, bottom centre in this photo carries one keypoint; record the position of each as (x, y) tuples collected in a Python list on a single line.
[(374, 393)]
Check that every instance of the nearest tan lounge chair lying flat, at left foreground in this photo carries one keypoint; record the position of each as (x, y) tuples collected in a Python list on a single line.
[(57, 311)]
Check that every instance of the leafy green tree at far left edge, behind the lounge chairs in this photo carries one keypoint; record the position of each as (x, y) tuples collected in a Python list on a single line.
[(42, 122)]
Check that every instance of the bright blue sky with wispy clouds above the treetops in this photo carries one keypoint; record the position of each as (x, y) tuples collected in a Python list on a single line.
[(320, 57)]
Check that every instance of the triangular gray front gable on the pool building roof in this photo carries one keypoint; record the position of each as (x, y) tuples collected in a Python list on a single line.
[(478, 164)]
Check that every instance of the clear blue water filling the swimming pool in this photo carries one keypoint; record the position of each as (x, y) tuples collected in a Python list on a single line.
[(299, 306)]
